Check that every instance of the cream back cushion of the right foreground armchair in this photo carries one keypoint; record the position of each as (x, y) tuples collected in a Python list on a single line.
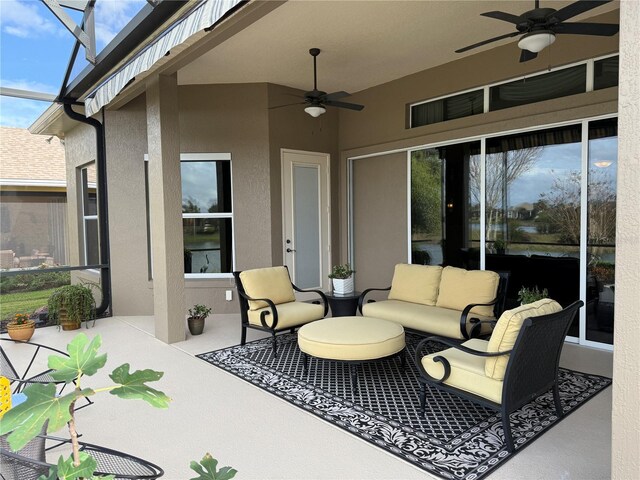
[(506, 332)]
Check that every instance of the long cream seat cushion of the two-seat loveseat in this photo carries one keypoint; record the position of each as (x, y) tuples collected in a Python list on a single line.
[(425, 318)]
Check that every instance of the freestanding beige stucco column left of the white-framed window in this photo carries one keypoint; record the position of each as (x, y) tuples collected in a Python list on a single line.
[(165, 208)]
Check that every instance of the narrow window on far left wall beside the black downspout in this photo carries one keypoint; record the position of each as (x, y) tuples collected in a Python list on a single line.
[(91, 253)]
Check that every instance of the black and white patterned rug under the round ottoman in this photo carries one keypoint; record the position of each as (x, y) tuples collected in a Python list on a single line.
[(457, 439)]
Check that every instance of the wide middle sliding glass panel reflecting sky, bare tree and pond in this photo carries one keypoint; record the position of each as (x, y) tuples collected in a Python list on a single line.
[(533, 211)]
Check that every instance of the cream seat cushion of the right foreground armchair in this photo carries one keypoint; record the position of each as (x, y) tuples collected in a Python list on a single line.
[(467, 371)]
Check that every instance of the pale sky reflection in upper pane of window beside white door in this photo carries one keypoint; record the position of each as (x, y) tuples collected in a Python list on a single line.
[(199, 184)]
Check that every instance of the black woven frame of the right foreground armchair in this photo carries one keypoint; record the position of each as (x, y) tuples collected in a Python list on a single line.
[(532, 369)]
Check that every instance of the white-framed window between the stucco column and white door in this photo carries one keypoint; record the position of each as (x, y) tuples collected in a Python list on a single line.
[(207, 217)]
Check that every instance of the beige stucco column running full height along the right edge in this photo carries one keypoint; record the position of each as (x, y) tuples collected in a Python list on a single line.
[(625, 454)]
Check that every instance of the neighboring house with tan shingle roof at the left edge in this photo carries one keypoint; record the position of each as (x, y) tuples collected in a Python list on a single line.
[(33, 197)]
